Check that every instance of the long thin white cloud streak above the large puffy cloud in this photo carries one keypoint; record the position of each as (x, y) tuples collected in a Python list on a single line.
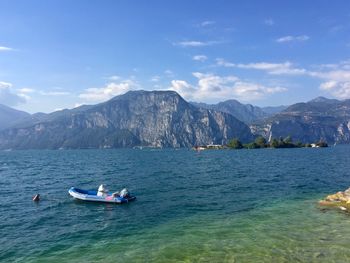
[(285, 68)]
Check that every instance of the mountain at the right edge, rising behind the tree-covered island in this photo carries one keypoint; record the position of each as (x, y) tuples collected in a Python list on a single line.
[(319, 119)]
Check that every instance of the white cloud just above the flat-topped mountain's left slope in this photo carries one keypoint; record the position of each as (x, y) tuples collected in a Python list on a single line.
[(110, 90)]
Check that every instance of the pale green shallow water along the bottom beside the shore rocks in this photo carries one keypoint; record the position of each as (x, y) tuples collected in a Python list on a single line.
[(291, 232)]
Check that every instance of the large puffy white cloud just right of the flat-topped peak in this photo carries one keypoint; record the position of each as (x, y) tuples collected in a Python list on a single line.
[(213, 88)]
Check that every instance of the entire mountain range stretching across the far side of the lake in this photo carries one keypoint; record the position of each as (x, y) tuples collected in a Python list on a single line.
[(165, 119)]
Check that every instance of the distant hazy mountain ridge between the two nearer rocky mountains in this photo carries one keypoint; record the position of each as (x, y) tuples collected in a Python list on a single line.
[(246, 113)]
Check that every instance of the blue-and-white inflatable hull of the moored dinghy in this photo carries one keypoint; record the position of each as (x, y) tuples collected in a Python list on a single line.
[(91, 195)]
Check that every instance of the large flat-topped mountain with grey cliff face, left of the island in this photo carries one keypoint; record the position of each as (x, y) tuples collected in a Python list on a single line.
[(148, 118)]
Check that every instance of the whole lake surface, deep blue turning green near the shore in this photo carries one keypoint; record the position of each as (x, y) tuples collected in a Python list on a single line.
[(213, 206)]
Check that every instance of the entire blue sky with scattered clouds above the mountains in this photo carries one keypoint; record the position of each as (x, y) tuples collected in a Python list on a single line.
[(61, 54)]
